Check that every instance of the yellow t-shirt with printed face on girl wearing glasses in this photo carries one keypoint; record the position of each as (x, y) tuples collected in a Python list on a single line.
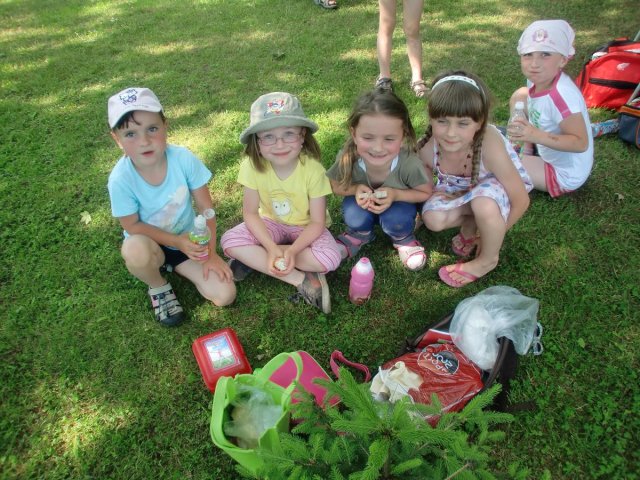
[(287, 201)]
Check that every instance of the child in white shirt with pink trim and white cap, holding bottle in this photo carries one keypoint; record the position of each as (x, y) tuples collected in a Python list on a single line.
[(557, 144)]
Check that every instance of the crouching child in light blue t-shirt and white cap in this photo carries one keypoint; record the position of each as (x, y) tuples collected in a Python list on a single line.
[(151, 189)]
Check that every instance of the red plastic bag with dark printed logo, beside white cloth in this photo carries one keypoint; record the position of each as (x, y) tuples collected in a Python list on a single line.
[(445, 371)]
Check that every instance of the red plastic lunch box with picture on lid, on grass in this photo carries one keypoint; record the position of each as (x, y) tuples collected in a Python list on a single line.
[(219, 354)]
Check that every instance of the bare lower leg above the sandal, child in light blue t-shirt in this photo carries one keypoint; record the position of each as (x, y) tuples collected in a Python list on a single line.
[(143, 258)]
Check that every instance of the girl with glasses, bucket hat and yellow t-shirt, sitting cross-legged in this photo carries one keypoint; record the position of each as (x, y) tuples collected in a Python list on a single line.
[(284, 233)]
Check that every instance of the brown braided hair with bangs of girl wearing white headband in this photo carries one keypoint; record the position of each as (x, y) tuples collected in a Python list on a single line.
[(460, 98)]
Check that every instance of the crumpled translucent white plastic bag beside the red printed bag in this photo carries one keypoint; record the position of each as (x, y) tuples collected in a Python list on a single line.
[(479, 321)]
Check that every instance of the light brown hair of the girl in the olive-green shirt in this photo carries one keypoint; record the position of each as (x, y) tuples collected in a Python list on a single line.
[(374, 102)]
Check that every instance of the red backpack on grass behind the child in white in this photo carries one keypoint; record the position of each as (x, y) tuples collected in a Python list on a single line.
[(611, 74)]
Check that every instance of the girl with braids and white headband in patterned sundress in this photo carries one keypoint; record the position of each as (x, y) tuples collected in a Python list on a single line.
[(481, 186)]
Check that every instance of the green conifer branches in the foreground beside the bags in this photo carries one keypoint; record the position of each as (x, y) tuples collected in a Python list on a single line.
[(359, 438)]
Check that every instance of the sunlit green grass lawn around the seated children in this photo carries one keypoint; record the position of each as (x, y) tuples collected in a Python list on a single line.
[(92, 387)]
